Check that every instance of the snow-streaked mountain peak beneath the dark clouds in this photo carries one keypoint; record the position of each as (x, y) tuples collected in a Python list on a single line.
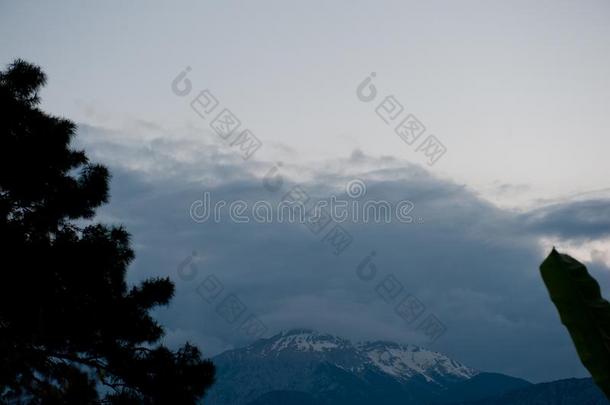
[(304, 367)]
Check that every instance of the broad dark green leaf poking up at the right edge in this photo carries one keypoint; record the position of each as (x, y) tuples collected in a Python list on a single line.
[(583, 311)]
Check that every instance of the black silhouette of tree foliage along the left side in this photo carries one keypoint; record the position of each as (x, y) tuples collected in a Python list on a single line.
[(71, 330)]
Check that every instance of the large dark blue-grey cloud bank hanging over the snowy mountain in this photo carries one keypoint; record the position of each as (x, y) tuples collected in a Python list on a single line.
[(473, 265)]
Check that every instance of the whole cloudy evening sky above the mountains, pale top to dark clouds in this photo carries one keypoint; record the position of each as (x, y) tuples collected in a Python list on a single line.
[(517, 93)]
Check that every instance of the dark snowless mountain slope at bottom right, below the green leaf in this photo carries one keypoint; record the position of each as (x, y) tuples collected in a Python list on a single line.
[(563, 392)]
